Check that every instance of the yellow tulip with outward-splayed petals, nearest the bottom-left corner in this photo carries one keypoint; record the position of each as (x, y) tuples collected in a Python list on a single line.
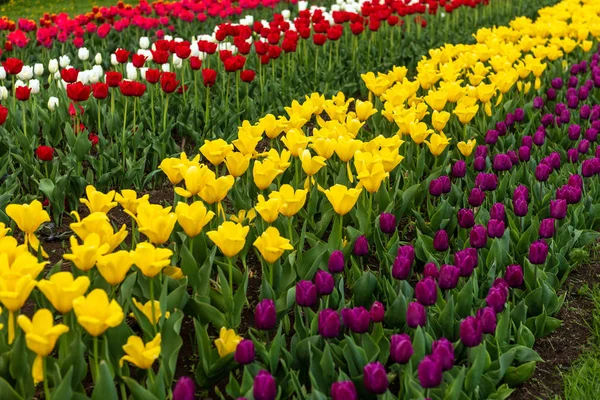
[(40, 336)]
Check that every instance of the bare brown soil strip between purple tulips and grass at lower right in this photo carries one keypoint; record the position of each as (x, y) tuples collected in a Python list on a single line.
[(561, 348)]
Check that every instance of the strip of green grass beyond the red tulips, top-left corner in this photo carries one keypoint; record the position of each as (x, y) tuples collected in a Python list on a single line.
[(34, 9)]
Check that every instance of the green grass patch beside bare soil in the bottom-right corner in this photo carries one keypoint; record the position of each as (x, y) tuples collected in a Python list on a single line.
[(583, 379)]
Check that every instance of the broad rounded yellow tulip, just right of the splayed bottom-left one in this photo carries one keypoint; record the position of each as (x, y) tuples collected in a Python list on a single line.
[(96, 314)]
